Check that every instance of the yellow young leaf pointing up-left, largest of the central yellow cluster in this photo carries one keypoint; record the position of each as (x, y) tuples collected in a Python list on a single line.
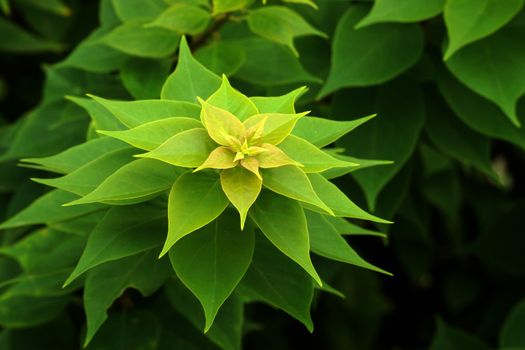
[(221, 125)]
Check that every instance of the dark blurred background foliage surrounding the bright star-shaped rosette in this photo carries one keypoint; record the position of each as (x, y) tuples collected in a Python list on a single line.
[(446, 79)]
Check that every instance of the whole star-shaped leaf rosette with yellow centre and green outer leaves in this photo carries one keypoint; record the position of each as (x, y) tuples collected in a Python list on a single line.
[(200, 149)]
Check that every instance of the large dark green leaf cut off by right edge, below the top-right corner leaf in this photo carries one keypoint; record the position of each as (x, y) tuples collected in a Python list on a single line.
[(475, 66)]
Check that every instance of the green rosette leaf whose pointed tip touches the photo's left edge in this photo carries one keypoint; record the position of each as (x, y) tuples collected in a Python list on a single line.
[(47, 209)]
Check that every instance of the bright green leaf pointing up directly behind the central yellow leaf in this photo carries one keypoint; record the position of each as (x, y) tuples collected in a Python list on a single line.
[(231, 100)]
